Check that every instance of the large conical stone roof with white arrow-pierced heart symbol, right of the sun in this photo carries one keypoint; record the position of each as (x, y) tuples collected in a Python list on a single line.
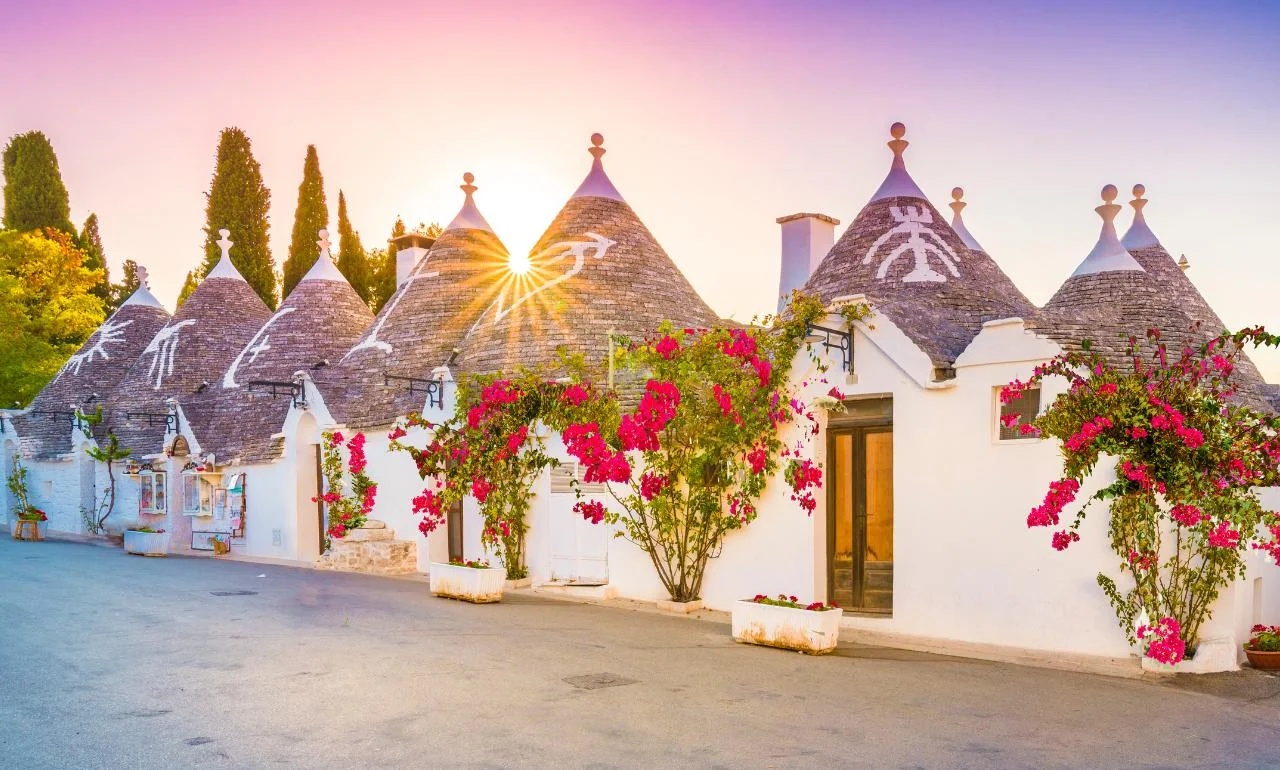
[(596, 271)]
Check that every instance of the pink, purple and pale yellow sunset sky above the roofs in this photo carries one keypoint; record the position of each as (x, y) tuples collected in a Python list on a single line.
[(719, 118)]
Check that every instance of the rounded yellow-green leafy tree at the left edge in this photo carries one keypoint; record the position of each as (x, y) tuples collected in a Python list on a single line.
[(47, 309)]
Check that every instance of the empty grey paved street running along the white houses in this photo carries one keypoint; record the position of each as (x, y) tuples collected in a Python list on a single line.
[(121, 662)]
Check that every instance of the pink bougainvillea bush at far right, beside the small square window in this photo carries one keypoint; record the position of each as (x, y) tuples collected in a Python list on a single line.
[(1188, 452)]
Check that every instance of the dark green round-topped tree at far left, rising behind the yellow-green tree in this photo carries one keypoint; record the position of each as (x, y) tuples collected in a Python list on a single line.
[(35, 196)]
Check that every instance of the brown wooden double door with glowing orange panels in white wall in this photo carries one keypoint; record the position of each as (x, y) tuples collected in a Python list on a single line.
[(861, 508)]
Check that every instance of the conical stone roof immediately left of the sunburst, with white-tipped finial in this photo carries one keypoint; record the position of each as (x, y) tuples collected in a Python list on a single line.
[(422, 324)]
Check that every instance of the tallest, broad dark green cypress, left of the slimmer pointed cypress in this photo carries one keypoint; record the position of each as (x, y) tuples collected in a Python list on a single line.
[(237, 200)]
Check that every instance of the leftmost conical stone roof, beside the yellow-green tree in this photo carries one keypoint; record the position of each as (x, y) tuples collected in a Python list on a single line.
[(92, 375)]
